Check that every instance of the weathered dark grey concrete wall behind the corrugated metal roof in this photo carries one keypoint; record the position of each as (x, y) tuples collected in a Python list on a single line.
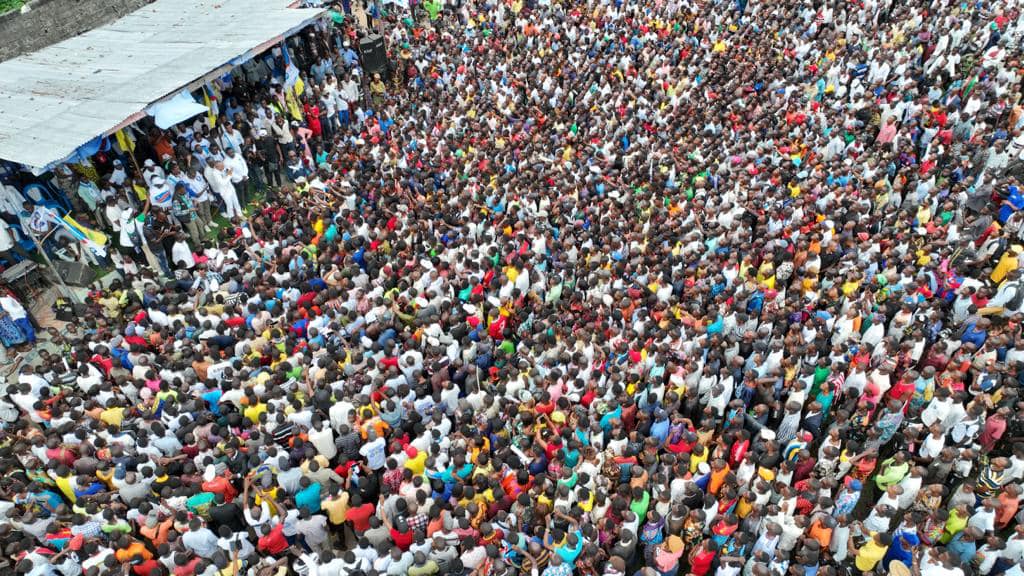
[(50, 22)]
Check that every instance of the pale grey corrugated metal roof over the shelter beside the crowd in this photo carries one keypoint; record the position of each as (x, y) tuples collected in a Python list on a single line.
[(58, 99)]
